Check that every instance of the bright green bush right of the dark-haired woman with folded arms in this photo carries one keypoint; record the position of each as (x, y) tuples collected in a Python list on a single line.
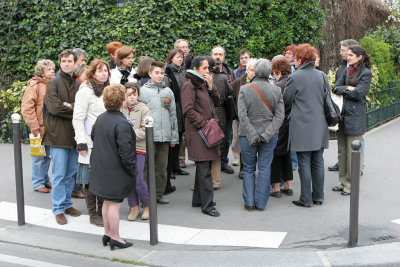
[(381, 56)]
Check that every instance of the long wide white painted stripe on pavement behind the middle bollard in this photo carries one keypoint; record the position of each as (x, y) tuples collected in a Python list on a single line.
[(141, 231)]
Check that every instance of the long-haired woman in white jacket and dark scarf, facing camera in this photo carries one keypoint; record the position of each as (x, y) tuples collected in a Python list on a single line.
[(88, 106)]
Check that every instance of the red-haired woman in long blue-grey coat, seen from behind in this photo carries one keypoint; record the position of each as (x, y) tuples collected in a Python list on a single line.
[(308, 130)]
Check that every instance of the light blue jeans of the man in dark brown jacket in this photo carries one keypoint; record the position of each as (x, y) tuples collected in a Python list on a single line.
[(65, 166)]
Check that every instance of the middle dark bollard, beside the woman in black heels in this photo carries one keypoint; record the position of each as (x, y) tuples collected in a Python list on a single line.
[(151, 177)]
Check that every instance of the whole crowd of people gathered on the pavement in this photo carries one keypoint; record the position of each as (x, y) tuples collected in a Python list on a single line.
[(92, 120)]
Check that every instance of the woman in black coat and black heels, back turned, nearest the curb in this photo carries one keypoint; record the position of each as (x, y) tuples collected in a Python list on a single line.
[(113, 162)]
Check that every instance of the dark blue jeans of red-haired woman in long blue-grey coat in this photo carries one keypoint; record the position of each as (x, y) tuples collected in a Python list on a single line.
[(311, 169)]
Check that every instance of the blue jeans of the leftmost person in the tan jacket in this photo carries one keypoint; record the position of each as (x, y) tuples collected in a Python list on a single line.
[(40, 169)]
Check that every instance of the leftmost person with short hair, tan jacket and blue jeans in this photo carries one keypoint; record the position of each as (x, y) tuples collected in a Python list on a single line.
[(32, 112)]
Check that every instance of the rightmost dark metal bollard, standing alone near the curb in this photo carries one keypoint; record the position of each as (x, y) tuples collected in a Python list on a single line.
[(355, 192)]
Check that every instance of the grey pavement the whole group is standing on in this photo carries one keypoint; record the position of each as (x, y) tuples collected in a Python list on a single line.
[(313, 237)]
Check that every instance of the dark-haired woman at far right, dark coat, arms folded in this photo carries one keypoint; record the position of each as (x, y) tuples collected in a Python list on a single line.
[(353, 85)]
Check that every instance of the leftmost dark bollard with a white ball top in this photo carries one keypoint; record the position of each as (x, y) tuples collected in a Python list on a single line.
[(18, 169)]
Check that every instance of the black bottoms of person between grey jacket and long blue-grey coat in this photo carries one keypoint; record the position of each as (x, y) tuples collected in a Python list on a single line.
[(281, 168)]
